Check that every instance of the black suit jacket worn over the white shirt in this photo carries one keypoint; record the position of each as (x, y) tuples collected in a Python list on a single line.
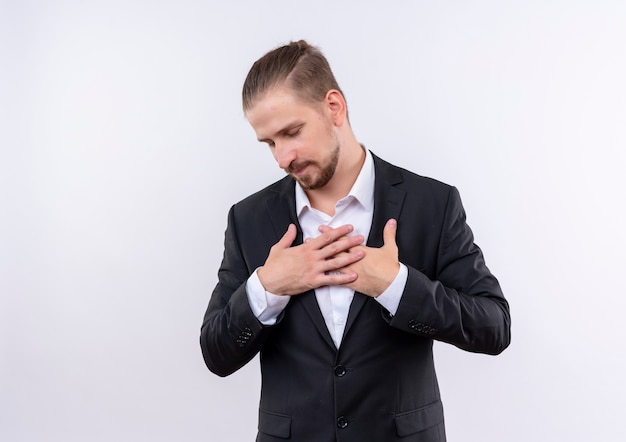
[(380, 385)]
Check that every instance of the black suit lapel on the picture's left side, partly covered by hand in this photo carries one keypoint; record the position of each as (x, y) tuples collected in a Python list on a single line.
[(282, 211)]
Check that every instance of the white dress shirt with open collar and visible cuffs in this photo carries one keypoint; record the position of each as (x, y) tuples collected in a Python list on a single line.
[(357, 208)]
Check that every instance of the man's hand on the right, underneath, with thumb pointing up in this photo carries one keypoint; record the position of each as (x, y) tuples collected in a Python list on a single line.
[(379, 267)]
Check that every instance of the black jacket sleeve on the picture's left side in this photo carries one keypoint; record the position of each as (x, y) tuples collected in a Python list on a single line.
[(231, 335)]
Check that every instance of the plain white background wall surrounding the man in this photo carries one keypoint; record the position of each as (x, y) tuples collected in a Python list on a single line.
[(120, 122)]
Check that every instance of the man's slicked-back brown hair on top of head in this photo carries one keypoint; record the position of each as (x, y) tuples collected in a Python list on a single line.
[(298, 65)]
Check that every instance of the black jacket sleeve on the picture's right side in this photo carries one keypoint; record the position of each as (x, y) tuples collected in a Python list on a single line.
[(463, 303)]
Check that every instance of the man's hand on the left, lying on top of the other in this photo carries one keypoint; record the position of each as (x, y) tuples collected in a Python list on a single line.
[(324, 260)]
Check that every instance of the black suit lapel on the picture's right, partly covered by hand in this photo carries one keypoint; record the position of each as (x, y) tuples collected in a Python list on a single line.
[(388, 201)]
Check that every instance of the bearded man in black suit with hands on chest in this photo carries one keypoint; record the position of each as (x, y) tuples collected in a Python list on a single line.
[(343, 273)]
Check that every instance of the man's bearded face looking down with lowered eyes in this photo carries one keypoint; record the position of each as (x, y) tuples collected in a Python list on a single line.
[(300, 136)]
